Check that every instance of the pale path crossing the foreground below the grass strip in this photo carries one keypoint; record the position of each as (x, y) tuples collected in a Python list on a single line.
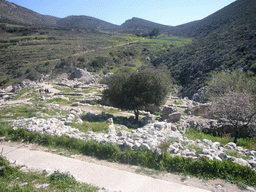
[(132, 171)]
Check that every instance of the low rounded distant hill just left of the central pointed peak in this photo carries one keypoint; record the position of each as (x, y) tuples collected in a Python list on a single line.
[(86, 22)]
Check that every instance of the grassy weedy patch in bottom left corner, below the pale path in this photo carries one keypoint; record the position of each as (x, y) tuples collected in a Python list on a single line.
[(13, 179)]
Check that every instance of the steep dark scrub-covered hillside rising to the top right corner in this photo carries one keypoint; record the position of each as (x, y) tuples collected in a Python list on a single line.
[(227, 42)]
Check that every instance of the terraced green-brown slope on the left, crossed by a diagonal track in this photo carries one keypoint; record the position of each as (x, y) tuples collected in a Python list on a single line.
[(28, 52)]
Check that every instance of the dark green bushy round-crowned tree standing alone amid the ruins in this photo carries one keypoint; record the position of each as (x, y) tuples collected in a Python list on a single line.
[(132, 90)]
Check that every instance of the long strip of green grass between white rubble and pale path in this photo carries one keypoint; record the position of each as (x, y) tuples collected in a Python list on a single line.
[(202, 168)]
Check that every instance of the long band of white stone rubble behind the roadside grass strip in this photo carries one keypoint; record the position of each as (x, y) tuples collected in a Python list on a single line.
[(154, 136)]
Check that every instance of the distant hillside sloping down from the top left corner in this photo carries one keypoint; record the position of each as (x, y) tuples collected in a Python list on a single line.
[(14, 14)]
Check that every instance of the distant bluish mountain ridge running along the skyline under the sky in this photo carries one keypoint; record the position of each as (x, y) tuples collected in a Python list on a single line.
[(197, 28)]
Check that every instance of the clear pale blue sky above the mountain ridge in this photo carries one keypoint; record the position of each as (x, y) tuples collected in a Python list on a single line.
[(167, 12)]
